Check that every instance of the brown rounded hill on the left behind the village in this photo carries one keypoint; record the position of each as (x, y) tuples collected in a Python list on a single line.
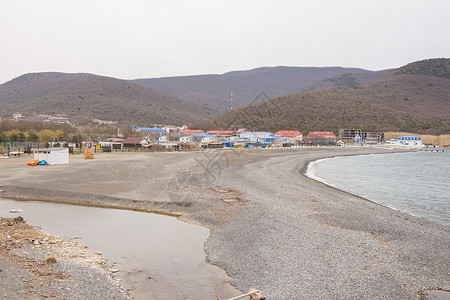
[(86, 96)]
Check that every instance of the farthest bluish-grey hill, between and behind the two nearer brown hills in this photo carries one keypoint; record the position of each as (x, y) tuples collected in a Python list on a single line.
[(213, 91)]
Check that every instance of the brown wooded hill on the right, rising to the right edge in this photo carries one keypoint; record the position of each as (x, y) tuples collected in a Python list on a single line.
[(414, 98)]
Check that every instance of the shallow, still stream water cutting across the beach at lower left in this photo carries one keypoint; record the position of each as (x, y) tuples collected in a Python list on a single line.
[(158, 257)]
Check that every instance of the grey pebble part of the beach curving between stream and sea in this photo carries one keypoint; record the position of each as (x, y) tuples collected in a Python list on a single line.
[(314, 241)]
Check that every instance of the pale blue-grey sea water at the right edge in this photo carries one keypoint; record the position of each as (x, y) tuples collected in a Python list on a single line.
[(417, 183)]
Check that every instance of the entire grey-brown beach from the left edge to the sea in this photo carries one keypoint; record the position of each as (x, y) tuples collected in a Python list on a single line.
[(272, 228)]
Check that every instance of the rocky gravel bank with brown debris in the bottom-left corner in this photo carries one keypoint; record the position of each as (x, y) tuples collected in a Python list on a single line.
[(38, 266)]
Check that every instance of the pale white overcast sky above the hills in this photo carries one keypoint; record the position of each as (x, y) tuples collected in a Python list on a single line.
[(143, 39)]
